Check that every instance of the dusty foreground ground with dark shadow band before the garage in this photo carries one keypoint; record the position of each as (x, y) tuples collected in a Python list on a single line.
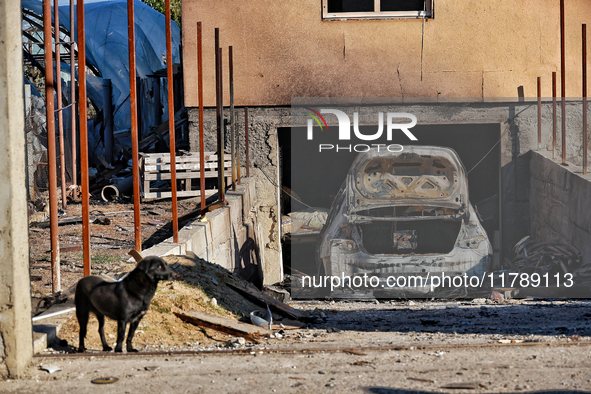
[(387, 348)]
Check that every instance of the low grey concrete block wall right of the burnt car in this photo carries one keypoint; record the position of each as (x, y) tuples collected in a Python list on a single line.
[(560, 200)]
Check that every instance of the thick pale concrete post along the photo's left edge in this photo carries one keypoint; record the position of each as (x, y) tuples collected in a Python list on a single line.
[(16, 335)]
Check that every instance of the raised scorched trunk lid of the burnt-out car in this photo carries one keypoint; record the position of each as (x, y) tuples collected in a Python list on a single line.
[(428, 176)]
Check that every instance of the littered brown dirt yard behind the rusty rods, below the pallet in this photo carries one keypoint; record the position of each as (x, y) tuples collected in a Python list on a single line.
[(110, 243)]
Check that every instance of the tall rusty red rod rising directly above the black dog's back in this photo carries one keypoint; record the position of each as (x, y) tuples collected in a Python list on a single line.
[(83, 138)]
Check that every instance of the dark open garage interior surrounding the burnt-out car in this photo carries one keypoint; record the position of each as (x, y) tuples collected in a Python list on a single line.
[(311, 181)]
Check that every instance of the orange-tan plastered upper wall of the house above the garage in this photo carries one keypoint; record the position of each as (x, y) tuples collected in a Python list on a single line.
[(284, 49)]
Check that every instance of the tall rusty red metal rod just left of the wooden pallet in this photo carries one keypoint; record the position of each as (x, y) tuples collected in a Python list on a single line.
[(134, 130)]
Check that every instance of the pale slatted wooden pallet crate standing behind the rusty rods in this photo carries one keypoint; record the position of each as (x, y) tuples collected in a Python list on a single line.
[(155, 167)]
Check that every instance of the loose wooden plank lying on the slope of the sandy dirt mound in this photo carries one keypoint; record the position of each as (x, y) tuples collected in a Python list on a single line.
[(222, 324)]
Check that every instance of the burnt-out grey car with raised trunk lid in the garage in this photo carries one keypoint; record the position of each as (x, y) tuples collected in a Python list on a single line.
[(405, 215)]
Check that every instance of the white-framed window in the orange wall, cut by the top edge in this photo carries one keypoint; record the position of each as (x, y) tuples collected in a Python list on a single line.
[(376, 9)]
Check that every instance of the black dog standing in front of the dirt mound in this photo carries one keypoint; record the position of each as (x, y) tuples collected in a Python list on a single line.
[(125, 301)]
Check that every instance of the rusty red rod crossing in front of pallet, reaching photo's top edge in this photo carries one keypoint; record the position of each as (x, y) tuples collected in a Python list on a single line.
[(171, 130)]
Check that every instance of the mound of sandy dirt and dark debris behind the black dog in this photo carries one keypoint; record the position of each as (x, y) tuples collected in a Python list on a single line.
[(204, 295)]
